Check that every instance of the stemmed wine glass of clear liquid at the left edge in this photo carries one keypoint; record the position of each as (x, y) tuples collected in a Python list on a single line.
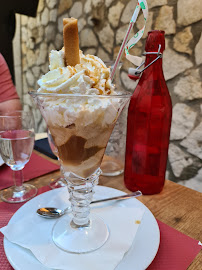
[(16, 145)]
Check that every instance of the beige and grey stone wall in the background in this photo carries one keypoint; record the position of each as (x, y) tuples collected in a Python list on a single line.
[(102, 26)]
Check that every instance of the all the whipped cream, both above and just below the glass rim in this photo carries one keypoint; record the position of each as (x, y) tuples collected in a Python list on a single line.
[(90, 77)]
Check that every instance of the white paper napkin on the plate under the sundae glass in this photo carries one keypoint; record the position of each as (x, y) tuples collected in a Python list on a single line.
[(34, 233)]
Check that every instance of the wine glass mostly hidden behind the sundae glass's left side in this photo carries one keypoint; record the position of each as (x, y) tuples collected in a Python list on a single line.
[(60, 181)]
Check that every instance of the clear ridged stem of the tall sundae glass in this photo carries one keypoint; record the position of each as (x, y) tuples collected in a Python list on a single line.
[(81, 193)]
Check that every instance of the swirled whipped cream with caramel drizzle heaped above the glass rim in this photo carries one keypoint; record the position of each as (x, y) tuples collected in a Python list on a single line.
[(91, 76)]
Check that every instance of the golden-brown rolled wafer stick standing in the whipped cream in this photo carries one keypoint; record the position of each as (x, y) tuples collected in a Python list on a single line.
[(71, 41)]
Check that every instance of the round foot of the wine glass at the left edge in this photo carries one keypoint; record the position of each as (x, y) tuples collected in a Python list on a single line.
[(18, 194)]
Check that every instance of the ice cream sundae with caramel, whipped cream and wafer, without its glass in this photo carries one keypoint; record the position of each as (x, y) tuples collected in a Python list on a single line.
[(80, 125)]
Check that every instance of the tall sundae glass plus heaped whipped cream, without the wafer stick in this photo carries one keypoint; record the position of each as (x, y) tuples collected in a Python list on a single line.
[(80, 107)]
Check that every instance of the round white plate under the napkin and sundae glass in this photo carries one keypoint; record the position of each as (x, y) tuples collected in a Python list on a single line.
[(139, 257)]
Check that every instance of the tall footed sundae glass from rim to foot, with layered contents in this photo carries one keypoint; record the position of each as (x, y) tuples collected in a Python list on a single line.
[(80, 126)]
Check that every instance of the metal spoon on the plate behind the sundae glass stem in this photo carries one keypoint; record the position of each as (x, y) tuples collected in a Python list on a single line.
[(51, 212)]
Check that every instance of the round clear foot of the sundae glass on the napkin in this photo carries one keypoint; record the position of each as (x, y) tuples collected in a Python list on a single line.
[(83, 239)]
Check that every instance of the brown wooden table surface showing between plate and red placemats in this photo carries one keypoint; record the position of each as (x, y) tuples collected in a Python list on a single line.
[(177, 206)]
